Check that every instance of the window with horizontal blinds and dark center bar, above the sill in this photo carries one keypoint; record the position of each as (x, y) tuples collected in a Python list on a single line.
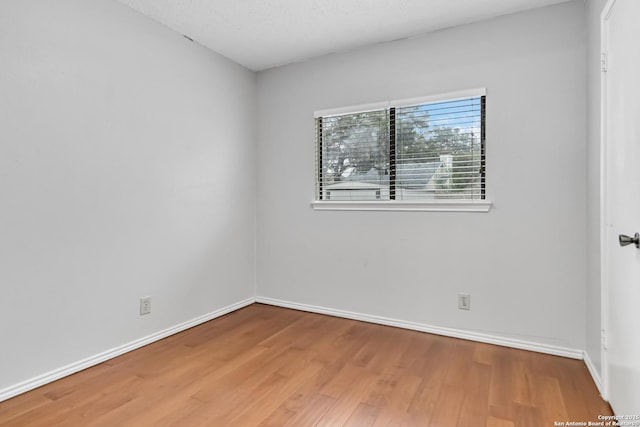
[(421, 150)]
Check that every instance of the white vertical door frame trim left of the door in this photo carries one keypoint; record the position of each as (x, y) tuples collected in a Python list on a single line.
[(605, 232)]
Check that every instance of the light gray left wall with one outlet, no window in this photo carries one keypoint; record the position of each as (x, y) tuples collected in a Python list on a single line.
[(127, 169)]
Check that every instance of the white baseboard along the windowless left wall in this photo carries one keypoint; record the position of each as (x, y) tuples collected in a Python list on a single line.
[(72, 368)]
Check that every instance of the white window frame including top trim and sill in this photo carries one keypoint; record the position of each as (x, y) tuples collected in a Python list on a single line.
[(442, 205)]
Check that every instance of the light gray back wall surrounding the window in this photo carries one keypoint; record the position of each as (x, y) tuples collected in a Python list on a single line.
[(523, 263)]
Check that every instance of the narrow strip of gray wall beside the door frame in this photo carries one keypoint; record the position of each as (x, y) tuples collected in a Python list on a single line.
[(593, 320)]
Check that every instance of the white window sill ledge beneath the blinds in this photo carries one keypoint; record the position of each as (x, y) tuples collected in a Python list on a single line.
[(426, 206)]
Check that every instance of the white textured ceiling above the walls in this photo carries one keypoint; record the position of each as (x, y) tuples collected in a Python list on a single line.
[(261, 34)]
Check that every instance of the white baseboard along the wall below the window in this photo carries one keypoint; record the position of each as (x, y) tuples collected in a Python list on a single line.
[(449, 332)]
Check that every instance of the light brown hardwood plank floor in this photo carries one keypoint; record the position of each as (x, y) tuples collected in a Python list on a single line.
[(268, 366)]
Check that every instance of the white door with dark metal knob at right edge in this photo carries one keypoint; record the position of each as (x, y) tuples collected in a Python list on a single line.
[(621, 203)]
